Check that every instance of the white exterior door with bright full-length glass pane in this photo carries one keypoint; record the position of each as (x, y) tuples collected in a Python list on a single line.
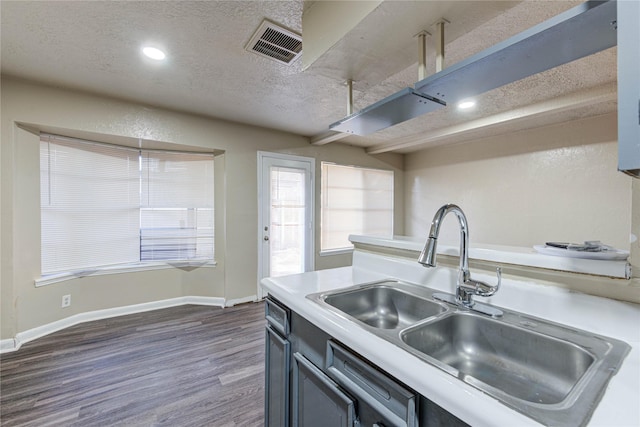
[(285, 215)]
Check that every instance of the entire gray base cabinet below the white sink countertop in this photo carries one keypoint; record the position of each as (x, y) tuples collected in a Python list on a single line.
[(313, 380)]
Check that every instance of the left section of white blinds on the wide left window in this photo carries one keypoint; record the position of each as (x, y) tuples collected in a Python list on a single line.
[(89, 205)]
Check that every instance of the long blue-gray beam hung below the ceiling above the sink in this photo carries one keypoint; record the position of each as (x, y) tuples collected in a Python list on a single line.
[(581, 31)]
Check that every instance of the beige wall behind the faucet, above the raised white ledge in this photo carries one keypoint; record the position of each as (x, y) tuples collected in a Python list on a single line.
[(557, 183)]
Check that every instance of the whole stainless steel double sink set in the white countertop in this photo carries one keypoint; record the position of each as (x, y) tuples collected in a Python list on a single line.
[(550, 372)]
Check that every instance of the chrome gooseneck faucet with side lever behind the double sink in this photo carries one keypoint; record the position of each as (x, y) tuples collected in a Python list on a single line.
[(466, 287)]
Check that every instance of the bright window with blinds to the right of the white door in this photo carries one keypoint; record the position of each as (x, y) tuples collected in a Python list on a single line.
[(354, 201)]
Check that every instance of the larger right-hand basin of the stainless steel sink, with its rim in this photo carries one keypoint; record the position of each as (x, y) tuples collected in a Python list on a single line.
[(545, 370)]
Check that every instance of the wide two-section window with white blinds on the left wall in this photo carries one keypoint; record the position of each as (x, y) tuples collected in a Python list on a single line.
[(104, 205)]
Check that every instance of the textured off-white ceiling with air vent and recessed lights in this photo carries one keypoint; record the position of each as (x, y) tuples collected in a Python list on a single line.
[(95, 46)]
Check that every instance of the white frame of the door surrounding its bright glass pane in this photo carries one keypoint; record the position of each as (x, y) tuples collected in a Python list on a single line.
[(310, 199)]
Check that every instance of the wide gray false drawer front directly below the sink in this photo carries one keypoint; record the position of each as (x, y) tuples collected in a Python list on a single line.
[(391, 399)]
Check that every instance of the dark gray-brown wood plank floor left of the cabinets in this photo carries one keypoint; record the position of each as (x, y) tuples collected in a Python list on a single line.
[(181, 366)]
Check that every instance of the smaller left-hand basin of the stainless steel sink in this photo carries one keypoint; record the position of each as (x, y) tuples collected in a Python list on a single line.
[(383, 306)]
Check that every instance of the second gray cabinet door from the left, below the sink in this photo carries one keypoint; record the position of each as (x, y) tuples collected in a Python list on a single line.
[(317, 400)]
